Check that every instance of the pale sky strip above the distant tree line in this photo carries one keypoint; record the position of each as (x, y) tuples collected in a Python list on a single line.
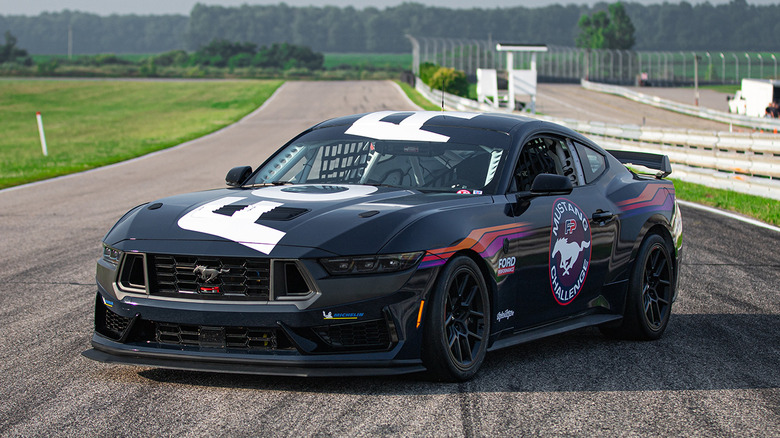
[(157, 7)]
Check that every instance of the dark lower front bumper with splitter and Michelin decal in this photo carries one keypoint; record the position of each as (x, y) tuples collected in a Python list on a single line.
[(379, 336)]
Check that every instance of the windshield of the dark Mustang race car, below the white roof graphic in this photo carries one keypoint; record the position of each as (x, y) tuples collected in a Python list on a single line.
[(420, 165)]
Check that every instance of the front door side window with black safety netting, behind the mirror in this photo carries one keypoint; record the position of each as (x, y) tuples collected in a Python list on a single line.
[(543, 155)]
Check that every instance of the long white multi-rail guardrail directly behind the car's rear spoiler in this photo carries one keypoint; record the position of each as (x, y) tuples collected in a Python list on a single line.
[(741, 162)]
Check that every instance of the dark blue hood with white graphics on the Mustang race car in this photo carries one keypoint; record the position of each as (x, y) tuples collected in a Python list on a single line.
[(337, 219)]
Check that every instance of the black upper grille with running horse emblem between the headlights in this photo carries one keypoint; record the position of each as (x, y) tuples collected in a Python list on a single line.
[(216, 278)]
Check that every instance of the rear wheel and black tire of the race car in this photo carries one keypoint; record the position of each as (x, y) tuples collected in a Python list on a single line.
[(650, 293)]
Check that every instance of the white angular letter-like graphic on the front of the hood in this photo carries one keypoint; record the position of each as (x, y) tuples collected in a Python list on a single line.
[(240, 227)]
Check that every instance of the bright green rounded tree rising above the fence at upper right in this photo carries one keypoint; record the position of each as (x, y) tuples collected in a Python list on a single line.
[(602, 31)]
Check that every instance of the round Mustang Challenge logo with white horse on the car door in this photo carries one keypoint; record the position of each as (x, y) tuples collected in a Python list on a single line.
[(569, 250)]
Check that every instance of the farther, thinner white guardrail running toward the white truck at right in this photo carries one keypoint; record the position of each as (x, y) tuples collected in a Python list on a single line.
[(691, 110)]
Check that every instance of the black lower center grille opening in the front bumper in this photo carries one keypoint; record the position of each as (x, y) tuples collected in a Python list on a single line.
[(238, 338)]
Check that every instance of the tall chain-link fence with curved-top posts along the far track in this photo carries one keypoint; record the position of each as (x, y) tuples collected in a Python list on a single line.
[(569, 64)]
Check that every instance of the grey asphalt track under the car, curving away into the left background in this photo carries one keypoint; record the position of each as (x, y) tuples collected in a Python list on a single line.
[(714, 373)]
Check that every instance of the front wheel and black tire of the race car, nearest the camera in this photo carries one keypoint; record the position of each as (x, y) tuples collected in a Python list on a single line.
[(458, 323)]
